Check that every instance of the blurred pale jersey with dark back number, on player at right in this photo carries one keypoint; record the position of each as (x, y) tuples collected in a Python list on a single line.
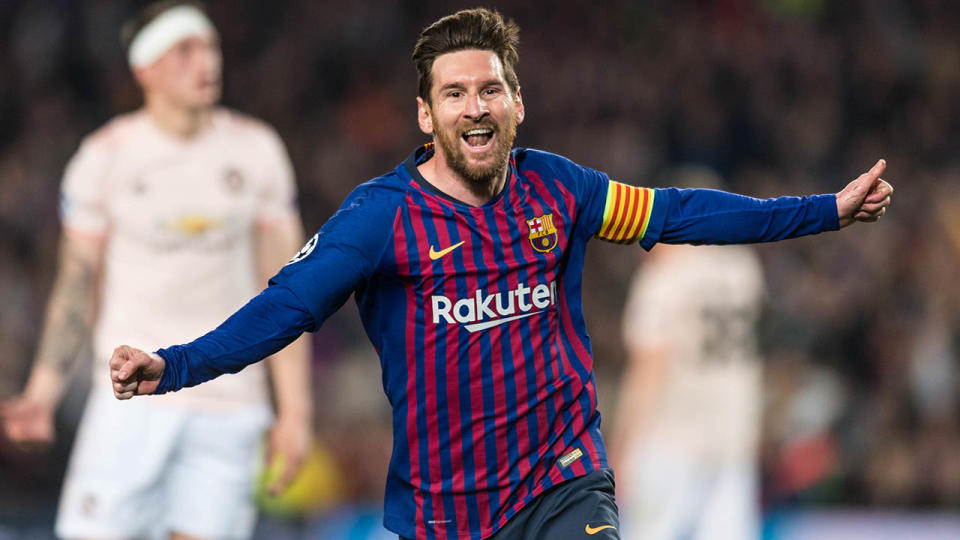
[(701, 305)]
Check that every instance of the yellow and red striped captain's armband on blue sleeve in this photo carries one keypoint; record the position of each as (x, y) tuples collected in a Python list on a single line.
[(626, 214)]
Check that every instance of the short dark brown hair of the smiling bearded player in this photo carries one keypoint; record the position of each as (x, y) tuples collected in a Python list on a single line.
[(477, 28)]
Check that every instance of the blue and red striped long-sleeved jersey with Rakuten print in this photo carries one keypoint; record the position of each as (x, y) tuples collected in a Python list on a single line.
[(476, 315)]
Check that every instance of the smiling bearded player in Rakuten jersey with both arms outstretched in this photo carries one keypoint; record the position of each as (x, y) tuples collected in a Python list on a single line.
[(465, 262)]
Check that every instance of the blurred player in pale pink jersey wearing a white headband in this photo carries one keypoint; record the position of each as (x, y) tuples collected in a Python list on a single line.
[(172, 216)]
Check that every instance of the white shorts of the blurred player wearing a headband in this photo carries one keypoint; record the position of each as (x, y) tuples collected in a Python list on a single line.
[(140, 469)]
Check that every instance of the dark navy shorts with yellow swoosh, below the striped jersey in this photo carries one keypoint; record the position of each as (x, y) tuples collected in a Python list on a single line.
[(581, 509)]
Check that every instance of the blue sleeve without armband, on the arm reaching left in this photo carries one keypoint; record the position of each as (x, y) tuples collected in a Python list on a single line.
[(333, 264)]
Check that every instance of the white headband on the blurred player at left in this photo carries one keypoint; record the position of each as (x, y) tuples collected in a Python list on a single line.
[(165, 31)]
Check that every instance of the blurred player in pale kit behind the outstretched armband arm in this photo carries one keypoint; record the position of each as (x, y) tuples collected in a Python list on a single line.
[(688, 422)]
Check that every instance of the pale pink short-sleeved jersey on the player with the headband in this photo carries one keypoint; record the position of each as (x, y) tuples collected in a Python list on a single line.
[(178, 218)]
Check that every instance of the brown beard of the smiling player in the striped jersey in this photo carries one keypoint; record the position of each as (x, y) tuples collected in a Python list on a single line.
[(480, 180)]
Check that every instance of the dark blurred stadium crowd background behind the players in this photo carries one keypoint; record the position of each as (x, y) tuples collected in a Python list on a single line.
[(861, 434)]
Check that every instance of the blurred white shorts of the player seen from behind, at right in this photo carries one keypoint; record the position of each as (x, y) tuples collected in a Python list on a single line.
[(671, 495)]
